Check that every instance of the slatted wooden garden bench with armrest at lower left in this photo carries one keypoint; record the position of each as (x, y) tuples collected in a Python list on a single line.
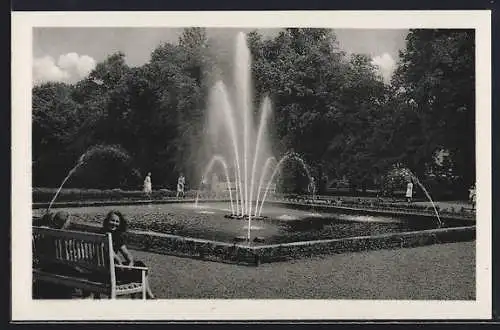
[(88, 254)]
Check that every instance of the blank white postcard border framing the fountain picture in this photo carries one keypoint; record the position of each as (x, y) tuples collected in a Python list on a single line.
[(25, 308)]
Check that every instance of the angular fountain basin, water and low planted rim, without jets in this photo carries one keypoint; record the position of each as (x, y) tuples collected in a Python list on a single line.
[(285, 233)]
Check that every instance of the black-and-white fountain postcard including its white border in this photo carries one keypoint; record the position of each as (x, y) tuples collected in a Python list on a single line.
[(292, 167)]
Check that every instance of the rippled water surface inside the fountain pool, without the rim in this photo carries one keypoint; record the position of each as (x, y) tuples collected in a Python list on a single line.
[(211, 224)]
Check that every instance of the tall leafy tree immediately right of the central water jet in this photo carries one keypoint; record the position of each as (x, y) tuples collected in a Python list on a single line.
[(299, 69)]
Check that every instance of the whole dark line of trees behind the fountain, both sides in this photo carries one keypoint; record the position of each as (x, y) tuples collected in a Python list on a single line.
[(331, 107)]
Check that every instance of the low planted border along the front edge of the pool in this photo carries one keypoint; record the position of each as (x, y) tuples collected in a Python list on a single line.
[(248, 254)]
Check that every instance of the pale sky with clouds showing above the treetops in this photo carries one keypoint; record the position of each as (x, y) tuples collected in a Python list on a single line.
[(70, 54)]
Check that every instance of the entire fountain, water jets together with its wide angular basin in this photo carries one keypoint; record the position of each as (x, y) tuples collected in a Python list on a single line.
[(243, 153)]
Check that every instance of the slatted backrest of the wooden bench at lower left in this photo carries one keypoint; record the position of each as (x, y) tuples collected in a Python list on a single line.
[(73, 248)]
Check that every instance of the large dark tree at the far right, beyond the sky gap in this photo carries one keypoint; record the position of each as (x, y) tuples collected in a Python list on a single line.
[(436, 76)]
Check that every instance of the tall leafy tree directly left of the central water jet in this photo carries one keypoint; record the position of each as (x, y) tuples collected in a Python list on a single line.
[(180, 76)]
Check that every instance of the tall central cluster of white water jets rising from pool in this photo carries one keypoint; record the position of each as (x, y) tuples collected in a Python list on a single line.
[(247, 149)]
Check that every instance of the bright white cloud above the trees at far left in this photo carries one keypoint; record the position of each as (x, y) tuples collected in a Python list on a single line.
[(69, 68)]
